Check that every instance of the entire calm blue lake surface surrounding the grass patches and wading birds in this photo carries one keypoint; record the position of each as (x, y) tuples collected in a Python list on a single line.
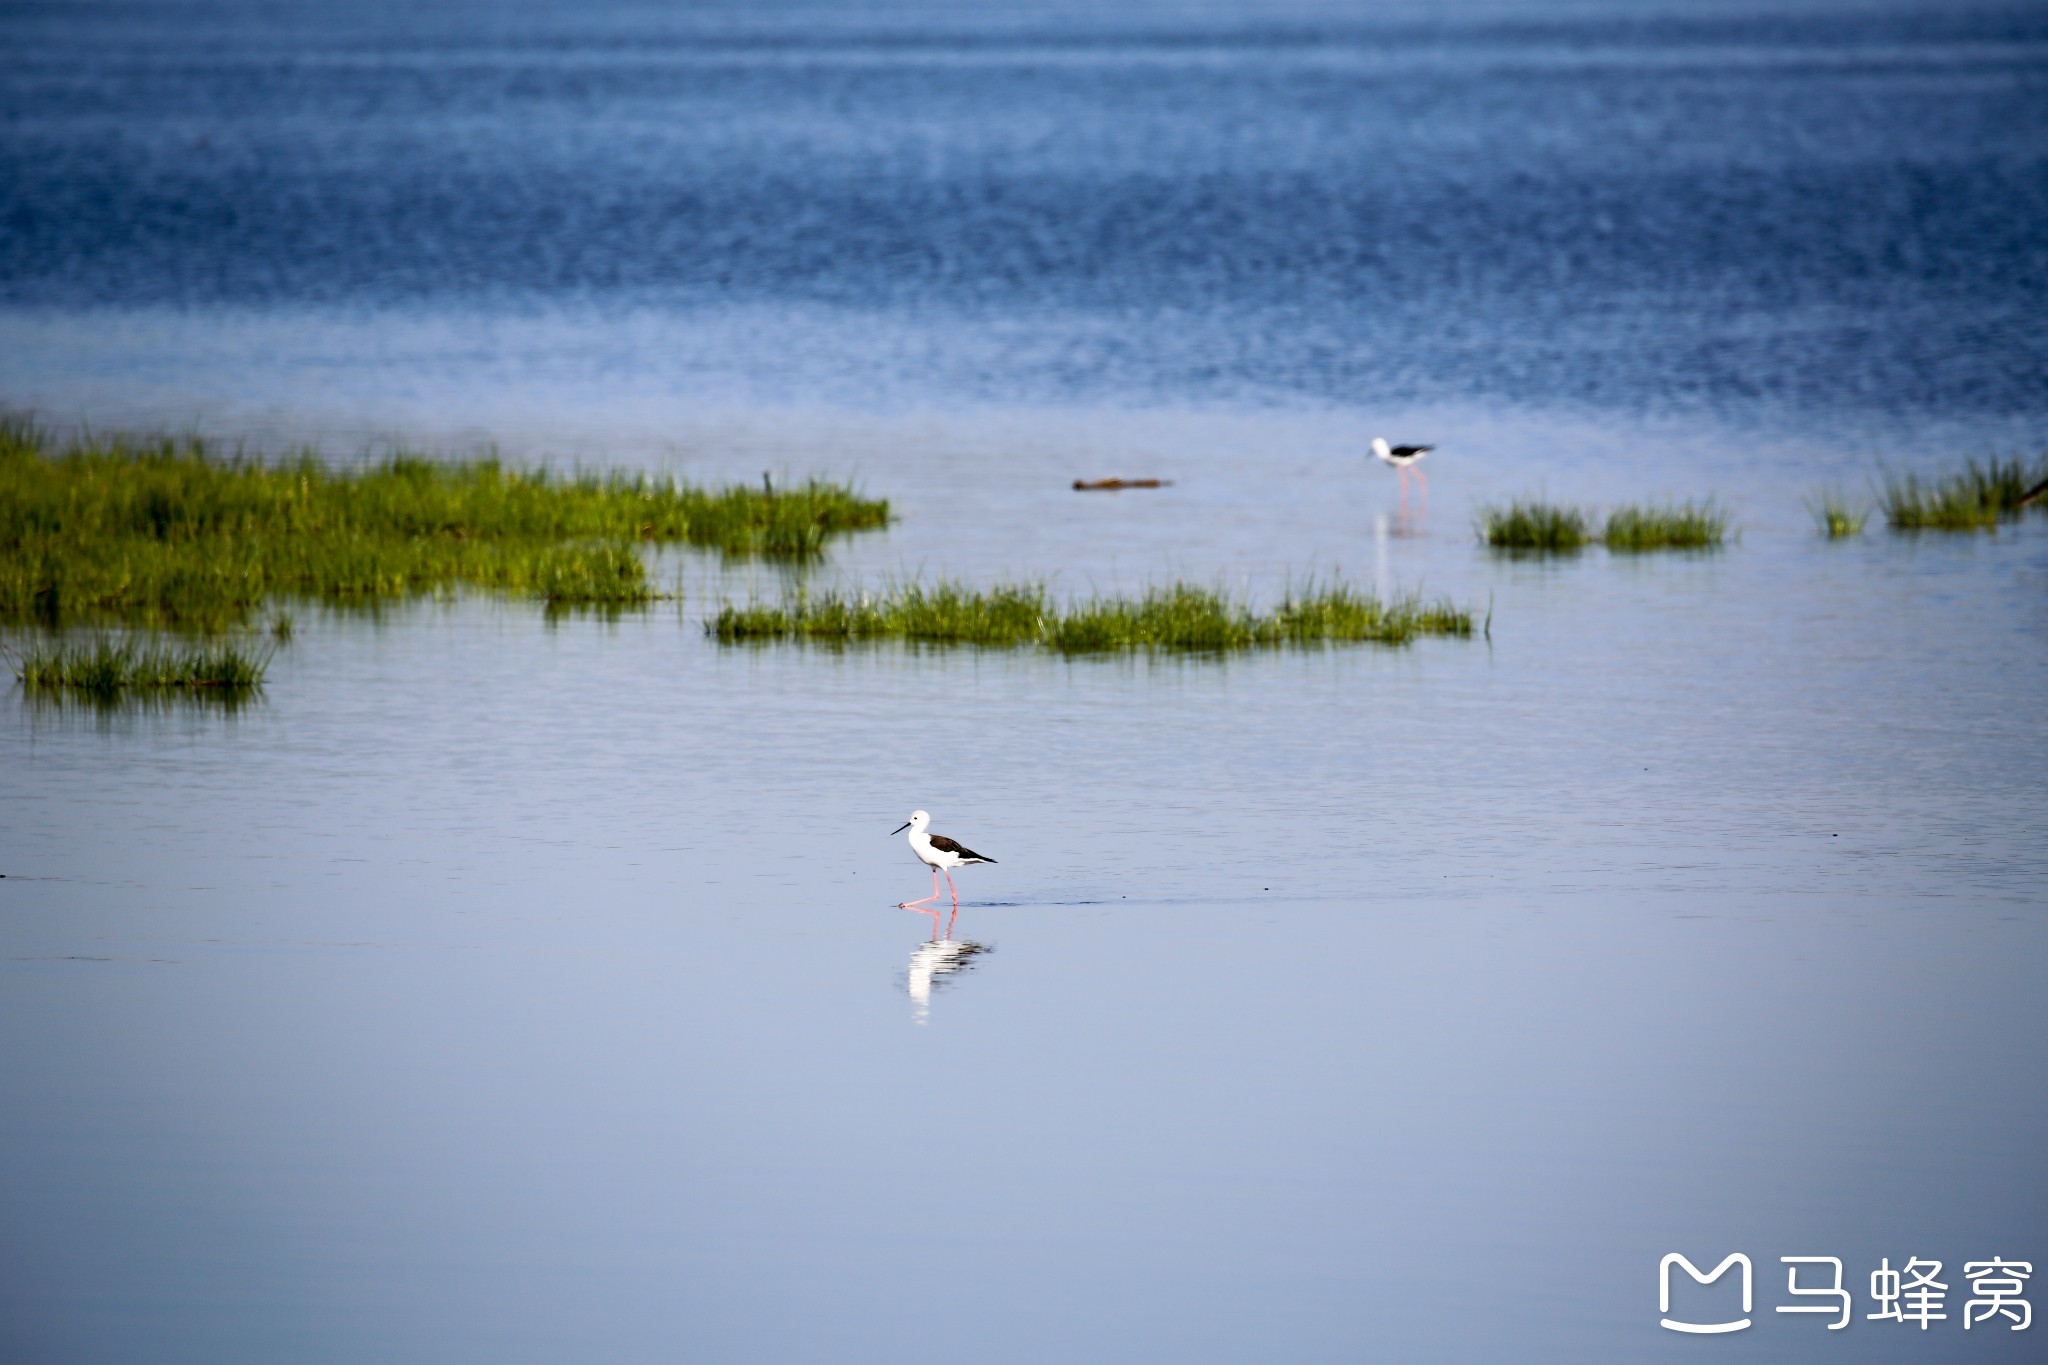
[(523, 989)]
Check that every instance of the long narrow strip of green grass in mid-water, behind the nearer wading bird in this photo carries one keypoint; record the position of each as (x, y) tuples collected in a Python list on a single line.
[(1179, 617)]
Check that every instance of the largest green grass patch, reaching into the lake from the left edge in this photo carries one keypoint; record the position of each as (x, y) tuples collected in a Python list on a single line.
[(177, 535)]
